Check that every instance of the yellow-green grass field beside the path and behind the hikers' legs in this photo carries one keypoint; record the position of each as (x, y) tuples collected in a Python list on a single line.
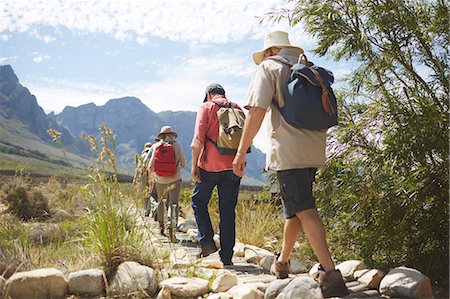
[(92, 222)]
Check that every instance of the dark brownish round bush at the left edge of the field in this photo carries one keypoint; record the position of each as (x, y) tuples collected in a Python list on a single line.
[(22, 200)]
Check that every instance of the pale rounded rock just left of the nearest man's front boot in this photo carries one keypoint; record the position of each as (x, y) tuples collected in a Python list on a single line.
[(301, 287)]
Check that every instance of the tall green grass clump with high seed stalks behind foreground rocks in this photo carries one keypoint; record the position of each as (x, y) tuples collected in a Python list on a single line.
[(113, 229)]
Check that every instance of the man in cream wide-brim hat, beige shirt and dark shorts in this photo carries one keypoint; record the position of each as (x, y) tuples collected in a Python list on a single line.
[(295, 154)]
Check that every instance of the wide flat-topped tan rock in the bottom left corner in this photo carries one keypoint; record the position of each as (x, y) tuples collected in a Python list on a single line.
[(37, 284)]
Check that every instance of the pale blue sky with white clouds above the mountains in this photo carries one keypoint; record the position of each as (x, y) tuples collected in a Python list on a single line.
[(70, 53)]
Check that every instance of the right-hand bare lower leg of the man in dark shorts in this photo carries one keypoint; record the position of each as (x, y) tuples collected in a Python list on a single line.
[(315, 232)]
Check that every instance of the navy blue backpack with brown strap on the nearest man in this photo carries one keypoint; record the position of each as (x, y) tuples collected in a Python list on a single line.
[(309, 101)]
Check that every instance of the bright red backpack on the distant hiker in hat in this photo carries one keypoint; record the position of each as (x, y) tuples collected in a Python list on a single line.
[(165, 161)]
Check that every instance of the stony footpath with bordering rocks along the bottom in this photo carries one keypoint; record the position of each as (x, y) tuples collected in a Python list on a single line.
[(248, 278)]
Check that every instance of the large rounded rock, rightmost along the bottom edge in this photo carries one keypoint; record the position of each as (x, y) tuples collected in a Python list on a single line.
[(405, 282)]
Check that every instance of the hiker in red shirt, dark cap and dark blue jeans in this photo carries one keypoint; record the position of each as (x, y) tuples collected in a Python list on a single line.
[(210, 169)]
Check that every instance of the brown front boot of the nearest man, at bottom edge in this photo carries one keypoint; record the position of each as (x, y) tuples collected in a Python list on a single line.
[(331, 283)]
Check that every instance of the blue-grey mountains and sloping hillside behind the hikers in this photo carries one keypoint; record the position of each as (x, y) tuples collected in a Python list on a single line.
[(24, 139)]
